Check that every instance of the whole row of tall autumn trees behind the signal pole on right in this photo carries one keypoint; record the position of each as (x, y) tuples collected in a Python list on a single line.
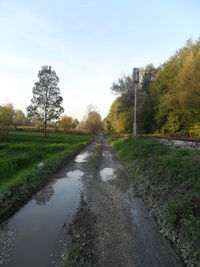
[(168, 97)]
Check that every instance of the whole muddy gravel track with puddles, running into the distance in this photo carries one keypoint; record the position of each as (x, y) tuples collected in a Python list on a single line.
[(123, 232)]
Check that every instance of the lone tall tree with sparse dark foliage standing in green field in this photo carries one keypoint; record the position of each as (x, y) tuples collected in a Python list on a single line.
[(46, 101)]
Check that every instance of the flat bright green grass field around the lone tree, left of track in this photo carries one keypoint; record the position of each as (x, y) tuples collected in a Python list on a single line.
[(22, 152)]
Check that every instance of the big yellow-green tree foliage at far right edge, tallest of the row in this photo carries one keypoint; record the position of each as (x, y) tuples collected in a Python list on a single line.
[(176, 91)]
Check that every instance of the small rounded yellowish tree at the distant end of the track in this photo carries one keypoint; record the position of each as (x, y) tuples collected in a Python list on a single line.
[(93, 121)]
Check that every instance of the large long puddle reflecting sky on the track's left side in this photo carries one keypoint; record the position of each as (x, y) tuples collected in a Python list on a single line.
[(39, 224)]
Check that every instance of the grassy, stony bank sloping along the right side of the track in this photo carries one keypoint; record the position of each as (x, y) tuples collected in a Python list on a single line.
[(169, 181)]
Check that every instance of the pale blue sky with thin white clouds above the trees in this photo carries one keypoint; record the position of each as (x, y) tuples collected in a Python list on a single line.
[(89, 43)]
